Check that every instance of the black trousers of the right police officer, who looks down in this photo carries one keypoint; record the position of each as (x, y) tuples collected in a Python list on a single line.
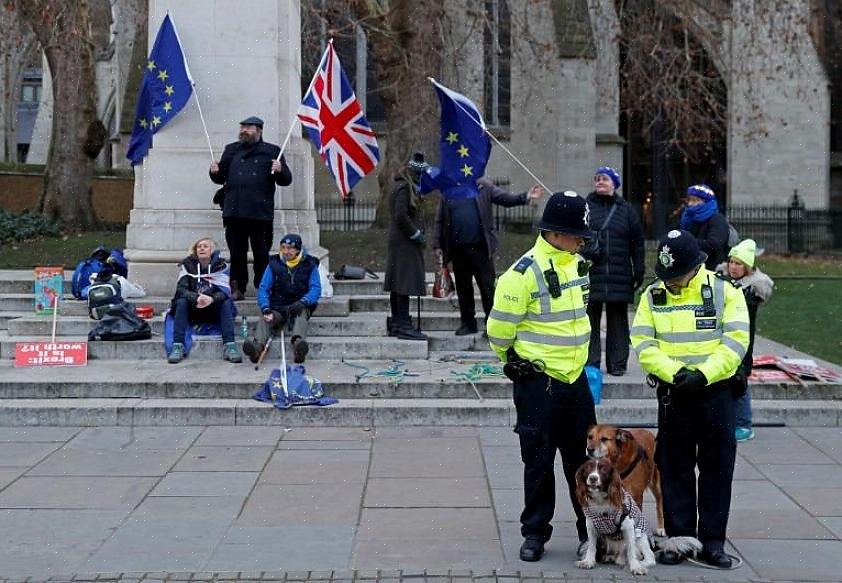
[(697, 430)]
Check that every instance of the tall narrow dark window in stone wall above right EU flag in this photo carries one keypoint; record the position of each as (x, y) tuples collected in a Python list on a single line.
[(497, 48)]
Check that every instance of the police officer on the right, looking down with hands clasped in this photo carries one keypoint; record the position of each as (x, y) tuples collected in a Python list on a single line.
[(690, 333)]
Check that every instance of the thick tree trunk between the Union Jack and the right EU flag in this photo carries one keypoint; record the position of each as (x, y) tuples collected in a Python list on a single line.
[(407, 46)]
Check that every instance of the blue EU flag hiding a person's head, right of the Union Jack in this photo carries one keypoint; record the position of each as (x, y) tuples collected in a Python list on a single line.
[(465, 147)]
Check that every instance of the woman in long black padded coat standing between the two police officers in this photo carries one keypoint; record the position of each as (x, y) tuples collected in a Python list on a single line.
[(618, 265)]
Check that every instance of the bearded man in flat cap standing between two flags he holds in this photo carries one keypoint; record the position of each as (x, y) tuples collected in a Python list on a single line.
[(249, 169)]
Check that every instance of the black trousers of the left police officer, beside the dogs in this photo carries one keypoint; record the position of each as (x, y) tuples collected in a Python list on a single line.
[(548, 421)]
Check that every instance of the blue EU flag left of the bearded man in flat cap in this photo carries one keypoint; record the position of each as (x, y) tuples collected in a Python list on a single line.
[(164, 91)]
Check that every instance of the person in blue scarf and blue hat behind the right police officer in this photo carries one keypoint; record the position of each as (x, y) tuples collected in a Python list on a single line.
[(702, 218)]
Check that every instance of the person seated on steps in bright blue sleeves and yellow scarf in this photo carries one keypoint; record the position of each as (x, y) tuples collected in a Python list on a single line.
[(288, 294)]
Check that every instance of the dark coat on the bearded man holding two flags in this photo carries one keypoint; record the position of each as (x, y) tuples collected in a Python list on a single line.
[(246, 172)]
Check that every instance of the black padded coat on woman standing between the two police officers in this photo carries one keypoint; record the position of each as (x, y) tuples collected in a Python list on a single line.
[(619, 266)]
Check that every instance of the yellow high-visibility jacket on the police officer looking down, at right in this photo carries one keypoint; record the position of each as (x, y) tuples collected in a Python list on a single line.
[(681, 333)]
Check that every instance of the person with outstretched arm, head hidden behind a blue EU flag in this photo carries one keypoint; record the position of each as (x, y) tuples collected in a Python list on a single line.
[(465, 235)]
